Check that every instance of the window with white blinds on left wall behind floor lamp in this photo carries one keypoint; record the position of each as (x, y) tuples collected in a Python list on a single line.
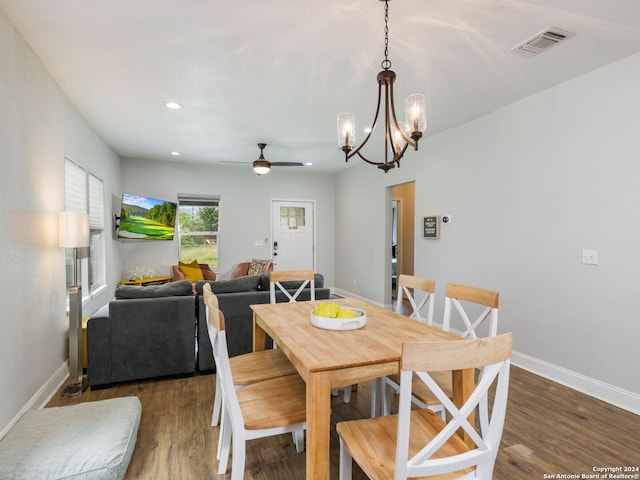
[(84, 192)]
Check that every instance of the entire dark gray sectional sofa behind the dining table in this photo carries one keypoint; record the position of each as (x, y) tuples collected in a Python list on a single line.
[(161, 330)]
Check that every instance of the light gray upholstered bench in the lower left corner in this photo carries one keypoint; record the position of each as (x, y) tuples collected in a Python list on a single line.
[(92, 440)]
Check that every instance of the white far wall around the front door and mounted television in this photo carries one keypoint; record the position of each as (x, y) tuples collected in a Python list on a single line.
[(244, 214)]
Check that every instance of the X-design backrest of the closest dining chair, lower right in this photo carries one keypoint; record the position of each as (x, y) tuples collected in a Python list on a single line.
[(444, 450)]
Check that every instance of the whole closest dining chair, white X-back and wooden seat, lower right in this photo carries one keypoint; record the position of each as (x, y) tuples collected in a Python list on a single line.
[(419, 443)]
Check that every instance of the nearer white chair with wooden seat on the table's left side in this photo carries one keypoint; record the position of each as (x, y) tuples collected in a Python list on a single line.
[(263, 409)]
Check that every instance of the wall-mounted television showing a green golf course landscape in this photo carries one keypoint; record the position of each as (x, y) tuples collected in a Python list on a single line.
[(144, 218)]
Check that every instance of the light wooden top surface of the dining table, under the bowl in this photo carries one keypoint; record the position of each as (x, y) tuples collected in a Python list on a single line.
[(315, 349)]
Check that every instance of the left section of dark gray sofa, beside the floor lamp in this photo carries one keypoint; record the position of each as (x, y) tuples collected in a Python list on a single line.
[(144, 332)]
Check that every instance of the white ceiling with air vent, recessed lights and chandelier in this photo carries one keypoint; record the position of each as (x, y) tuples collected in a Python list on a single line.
[(280, 71)]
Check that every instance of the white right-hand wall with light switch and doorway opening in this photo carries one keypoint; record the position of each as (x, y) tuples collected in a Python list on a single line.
[(528, 187)]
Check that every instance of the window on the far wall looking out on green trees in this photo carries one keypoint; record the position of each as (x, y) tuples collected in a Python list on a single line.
[(198, 229)]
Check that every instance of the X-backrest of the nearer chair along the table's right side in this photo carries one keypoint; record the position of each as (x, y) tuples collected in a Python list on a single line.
[(461, 296)]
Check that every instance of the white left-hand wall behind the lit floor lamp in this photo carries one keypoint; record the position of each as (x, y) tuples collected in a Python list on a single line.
[(38, 126)]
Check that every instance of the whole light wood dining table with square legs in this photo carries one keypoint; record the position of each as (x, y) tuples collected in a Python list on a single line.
[(328, 359)]
